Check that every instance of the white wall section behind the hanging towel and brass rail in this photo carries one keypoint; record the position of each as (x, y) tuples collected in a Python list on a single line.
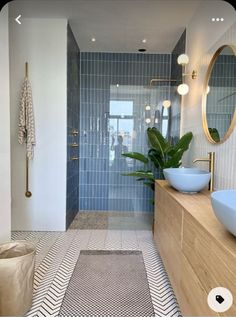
[(42, 43)]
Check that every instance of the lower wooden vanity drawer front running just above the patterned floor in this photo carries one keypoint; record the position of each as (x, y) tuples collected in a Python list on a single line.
[(189, 292)]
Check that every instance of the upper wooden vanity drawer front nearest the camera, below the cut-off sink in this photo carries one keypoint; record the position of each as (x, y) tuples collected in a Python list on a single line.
[(208, 259)]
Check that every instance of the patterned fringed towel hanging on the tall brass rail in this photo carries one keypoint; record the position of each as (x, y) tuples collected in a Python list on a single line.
[(26, 119)]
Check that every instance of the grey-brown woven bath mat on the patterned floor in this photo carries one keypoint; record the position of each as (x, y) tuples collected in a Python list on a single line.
[(108, 283)]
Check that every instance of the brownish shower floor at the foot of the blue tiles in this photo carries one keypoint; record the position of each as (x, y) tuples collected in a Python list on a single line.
[(112, 220)]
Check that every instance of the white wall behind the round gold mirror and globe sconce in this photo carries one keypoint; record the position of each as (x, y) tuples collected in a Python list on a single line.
[(203, 38)]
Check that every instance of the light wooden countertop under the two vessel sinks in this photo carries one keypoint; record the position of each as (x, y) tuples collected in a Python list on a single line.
[(199, 207)]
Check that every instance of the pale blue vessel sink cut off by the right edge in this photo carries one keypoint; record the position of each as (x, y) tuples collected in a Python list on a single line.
[(224, 206)]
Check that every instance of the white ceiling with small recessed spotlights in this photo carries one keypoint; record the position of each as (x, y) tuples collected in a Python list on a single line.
[(117, 25)]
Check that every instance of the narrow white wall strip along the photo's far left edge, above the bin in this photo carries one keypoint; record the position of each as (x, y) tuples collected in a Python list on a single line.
[(5, 187)]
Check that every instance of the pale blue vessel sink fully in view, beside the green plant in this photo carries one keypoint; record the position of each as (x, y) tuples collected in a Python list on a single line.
[(187, 180)]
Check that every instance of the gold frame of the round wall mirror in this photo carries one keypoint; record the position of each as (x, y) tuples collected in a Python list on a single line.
[(204, 99)]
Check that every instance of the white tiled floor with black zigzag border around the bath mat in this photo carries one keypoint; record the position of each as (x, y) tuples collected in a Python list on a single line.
[(57, 254)]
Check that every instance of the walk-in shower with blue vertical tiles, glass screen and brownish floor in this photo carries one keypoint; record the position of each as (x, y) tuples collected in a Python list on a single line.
[(111, 103)]
